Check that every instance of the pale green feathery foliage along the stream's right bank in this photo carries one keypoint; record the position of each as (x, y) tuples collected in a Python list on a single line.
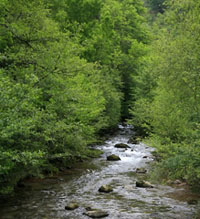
[(170, 109)]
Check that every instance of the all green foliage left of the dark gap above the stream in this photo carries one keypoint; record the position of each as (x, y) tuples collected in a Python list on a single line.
[(65, 75)]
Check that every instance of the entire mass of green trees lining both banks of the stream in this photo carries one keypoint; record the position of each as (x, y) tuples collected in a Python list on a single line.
[(70, 70)]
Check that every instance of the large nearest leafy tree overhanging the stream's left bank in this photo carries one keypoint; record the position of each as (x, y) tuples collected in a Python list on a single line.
[(51, 101)]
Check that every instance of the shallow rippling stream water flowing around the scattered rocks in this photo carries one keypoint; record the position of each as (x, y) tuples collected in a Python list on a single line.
[(47, 198)]
